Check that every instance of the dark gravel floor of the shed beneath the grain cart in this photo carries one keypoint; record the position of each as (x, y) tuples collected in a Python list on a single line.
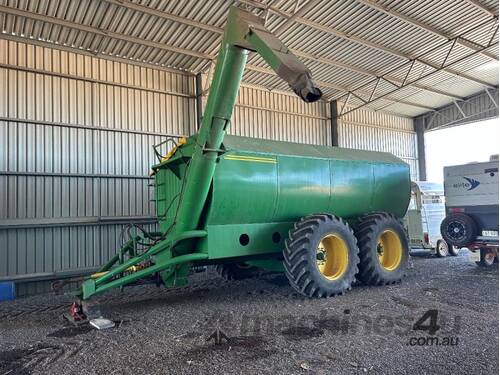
[(271, 330)]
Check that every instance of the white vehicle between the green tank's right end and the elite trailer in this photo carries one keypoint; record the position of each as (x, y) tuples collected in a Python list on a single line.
[(423, 219)]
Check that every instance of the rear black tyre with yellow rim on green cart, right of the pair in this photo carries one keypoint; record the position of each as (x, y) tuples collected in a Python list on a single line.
[(383, 249)]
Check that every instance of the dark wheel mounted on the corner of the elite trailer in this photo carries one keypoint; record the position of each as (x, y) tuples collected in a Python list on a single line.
[(458, 229)]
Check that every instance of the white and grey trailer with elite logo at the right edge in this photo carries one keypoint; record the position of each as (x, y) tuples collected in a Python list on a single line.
[(471, 193)]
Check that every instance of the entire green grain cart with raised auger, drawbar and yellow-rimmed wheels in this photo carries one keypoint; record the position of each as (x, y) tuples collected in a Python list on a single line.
[(224, 199)]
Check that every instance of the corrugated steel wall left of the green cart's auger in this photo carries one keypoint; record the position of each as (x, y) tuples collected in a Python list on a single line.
[(75, 149)]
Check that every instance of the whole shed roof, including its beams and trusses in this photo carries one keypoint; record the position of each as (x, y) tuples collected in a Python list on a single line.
[(401, 56)]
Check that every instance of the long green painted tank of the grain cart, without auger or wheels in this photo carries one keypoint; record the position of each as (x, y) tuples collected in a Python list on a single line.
[(261, 187)]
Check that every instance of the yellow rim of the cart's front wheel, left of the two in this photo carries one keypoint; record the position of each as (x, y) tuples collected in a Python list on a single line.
[(332, 256)]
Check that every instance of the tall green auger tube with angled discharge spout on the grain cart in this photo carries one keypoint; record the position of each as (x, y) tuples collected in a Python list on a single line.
[(244, 32)]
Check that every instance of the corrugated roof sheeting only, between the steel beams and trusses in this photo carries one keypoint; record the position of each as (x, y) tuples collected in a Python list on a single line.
[(339, 33)]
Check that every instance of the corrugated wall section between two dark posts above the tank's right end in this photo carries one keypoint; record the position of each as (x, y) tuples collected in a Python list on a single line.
[(368, 130)]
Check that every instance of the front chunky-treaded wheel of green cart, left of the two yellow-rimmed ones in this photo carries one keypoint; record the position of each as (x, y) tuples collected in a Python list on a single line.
[(321, 256)]
